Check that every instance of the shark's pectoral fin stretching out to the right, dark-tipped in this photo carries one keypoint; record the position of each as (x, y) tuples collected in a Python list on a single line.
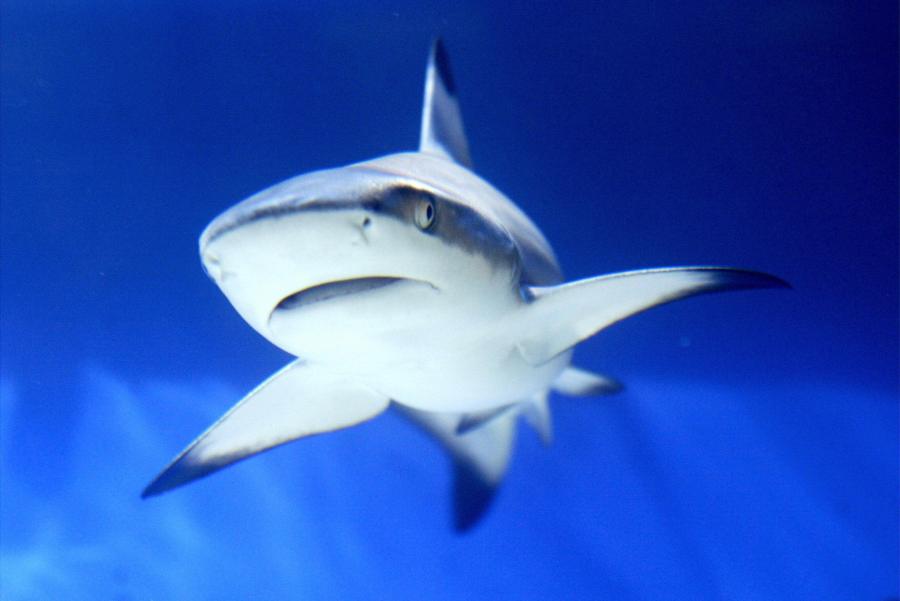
[(558, 317)]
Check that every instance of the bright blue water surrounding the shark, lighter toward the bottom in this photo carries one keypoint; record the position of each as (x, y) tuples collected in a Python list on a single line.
[(754, 453)]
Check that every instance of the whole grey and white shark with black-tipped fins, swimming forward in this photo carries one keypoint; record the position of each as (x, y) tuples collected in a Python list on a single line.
[(410, 281)]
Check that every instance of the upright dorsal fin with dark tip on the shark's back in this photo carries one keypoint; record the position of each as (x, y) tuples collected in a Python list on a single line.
[(442, 130)]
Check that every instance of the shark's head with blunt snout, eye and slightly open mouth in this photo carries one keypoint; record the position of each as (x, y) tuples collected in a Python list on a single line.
[(360, 252)]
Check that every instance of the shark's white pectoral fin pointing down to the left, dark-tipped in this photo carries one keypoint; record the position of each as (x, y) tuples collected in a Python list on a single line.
[(297, 401)]
